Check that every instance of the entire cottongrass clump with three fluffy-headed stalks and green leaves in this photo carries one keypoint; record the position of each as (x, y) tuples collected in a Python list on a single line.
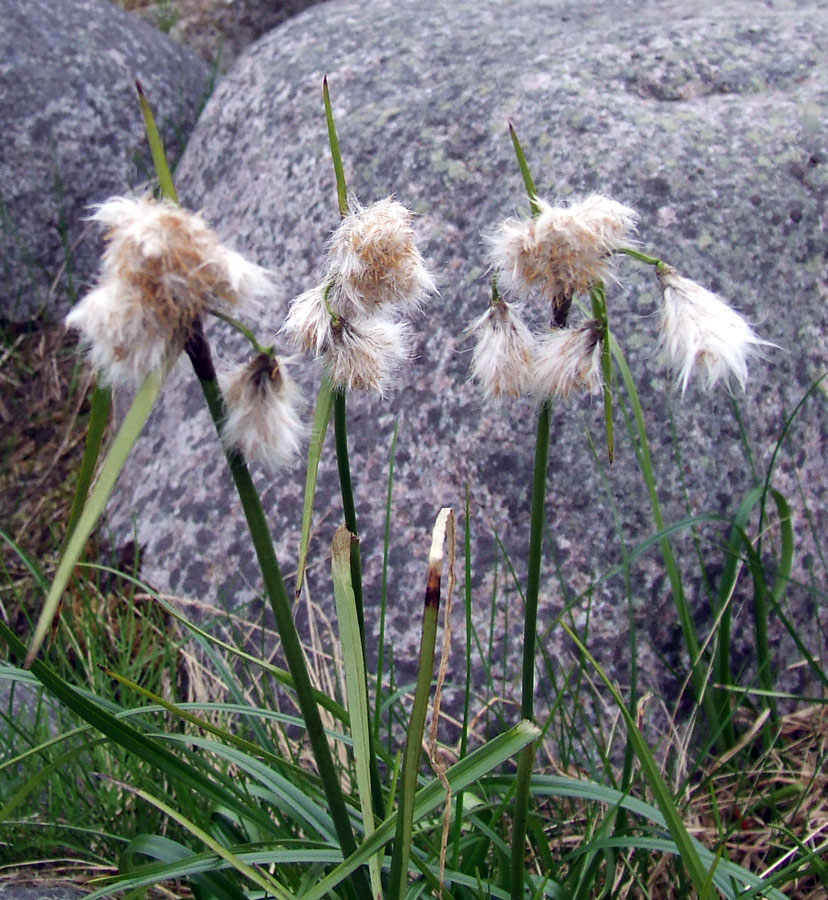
[(359, 823)]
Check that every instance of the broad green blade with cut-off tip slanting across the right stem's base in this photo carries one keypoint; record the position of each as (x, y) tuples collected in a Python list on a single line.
[(461, 775)]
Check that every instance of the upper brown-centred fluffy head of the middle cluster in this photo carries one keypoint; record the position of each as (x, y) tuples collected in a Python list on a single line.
[(374, 261)]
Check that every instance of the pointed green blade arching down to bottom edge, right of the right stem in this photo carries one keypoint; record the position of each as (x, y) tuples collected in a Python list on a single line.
[(686, 848)]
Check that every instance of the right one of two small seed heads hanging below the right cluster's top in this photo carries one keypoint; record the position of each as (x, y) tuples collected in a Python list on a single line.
[(568, 360)]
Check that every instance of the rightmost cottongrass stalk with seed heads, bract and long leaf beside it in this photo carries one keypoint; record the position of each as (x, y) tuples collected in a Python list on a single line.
[(558, 254)]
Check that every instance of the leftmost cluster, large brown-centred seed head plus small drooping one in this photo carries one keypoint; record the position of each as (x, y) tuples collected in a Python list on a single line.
[(162, 272)]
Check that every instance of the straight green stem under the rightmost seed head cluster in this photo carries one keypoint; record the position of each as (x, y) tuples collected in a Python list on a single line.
[(530, 628)]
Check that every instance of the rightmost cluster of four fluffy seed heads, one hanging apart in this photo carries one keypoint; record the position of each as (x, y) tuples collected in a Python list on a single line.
[(565, 252)]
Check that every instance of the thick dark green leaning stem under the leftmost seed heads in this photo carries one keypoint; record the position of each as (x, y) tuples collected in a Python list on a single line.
[(198, 351)]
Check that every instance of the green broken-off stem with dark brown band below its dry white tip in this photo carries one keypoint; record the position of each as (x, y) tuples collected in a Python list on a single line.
[(413, 743)]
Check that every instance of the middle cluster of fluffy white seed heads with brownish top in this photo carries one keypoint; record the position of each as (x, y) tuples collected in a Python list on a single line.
[(354, 318)]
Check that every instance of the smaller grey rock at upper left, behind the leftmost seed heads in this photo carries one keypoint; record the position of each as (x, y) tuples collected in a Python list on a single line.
[(73, 135)]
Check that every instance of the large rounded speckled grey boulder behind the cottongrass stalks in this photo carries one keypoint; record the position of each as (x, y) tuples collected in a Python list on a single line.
[(711, 123)]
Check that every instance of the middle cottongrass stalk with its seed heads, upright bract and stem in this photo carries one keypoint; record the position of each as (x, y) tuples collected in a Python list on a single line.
[(353, 321)]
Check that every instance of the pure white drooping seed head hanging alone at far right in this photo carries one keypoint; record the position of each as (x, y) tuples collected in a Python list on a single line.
[(700, 330)]
